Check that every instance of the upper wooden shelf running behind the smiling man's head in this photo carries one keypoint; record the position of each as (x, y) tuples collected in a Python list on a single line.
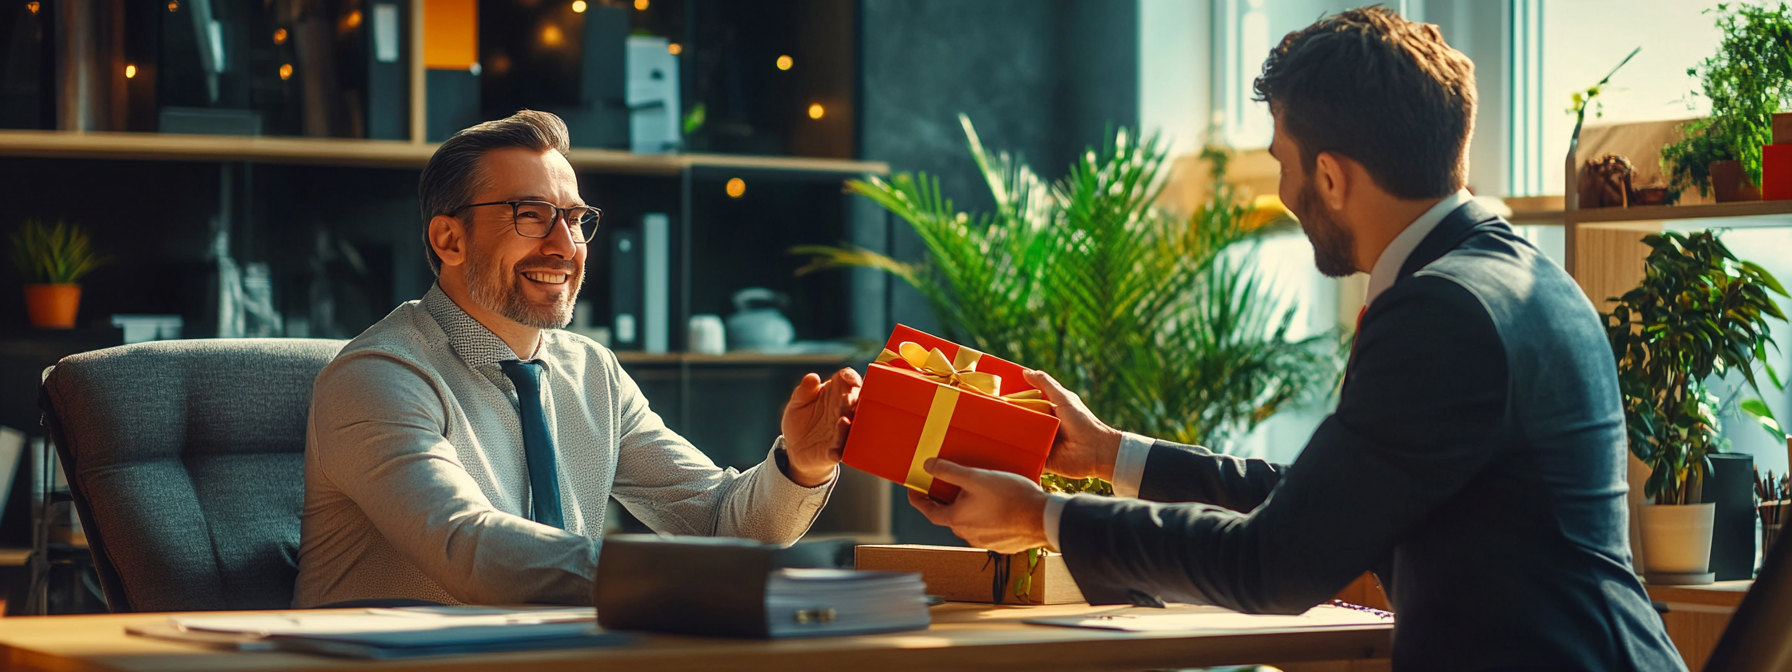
[(370, 153)]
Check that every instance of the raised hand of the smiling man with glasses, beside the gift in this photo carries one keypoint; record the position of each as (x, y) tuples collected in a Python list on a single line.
[(816, 424)]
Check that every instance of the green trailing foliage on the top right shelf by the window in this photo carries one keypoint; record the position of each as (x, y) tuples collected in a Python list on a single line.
[(1748, 82)]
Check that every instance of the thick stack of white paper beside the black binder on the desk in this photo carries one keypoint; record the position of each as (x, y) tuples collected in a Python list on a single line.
[(822, 603)]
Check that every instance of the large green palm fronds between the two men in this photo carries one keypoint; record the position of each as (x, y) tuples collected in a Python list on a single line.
[(1160, 323)]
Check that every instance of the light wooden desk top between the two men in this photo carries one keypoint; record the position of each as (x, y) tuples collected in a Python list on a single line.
[(963, 637)]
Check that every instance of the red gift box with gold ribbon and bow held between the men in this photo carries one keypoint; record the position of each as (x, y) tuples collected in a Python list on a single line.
[(929, 397)]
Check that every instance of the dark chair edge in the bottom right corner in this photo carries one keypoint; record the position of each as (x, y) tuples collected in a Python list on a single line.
[(1757, 633)]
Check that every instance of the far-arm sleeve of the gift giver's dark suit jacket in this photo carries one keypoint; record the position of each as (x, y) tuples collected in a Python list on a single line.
[(1193, 474)]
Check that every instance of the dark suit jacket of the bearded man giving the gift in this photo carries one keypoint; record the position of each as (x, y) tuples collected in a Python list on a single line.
[(1476, 463)]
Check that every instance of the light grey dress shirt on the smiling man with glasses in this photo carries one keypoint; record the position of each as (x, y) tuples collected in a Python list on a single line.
[(417, 485)]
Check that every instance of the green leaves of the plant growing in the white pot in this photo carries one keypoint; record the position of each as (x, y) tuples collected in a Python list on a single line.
[(1700, 313)]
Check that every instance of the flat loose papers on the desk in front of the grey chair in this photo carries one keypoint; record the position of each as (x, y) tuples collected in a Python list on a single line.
[(393, 633)]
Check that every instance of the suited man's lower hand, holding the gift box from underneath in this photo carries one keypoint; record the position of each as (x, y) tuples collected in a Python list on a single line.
[(995, 510)]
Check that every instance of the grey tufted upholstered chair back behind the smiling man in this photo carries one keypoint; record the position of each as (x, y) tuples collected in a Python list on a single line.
[(187, 465)]
